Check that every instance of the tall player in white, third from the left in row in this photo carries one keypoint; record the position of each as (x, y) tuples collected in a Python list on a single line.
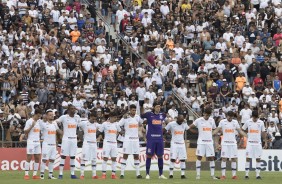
[(70, 122)]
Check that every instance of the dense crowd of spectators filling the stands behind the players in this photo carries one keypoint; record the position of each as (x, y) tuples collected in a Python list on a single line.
[(220, 53)]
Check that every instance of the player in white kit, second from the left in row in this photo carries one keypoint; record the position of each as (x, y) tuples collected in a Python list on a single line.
[(49, 147)]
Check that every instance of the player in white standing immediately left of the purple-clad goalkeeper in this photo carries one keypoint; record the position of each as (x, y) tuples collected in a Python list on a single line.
[(131, 123)]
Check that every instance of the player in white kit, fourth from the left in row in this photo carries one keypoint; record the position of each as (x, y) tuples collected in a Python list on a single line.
[(89, 148)]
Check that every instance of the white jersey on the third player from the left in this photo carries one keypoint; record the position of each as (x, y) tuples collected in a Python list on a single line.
[(69, 125)]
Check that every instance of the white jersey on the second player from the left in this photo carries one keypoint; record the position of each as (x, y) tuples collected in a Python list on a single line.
[(49, 132)]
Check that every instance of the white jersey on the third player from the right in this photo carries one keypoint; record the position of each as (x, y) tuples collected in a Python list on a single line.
[(205, 128)]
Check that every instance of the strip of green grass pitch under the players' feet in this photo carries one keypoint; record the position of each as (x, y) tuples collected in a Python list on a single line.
[(16, 177)]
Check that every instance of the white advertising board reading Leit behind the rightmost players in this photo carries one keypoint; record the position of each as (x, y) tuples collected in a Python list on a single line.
[(270, 161)]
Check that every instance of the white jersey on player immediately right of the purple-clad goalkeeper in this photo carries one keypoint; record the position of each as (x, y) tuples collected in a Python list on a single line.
[(177, 131)]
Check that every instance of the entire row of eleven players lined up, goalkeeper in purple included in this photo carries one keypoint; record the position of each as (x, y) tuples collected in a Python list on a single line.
[(208, 132)]
